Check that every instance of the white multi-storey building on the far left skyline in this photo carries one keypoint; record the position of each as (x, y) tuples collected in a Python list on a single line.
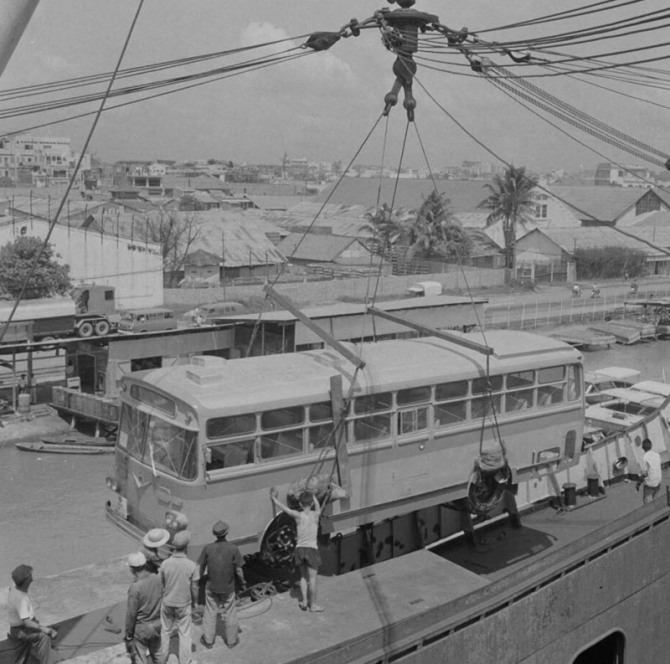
[(36, 161)]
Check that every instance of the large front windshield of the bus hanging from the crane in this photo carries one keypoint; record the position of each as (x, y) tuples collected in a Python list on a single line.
[(162, 445)]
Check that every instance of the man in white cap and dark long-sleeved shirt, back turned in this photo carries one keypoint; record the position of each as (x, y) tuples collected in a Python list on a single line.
[(143, 627)]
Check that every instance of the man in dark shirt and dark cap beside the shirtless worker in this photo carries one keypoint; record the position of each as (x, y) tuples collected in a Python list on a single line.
[(223, 562)]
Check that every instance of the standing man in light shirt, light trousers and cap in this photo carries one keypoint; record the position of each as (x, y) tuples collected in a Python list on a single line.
[(179, 578)]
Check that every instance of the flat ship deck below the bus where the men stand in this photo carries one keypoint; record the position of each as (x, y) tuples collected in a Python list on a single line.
[(397, 605)]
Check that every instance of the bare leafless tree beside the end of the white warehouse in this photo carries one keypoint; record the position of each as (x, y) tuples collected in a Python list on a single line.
[(176, 232)]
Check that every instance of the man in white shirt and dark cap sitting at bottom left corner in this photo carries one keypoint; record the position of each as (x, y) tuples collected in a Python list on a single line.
[(29, 638)]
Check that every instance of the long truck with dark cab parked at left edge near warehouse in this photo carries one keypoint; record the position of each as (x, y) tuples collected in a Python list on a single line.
[(85, 314)]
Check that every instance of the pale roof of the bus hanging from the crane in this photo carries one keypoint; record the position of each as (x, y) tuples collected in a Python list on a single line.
[(277, 381)]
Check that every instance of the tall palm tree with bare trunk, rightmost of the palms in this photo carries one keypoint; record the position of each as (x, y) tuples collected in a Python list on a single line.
[(511, 200)]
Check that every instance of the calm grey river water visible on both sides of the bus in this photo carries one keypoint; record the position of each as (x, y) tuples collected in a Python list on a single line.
[(52, 514)]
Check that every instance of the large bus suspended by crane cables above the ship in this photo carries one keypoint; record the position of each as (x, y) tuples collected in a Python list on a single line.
[(205, 441)]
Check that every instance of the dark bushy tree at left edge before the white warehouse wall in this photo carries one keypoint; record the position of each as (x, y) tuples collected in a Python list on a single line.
[(17, 258)]
